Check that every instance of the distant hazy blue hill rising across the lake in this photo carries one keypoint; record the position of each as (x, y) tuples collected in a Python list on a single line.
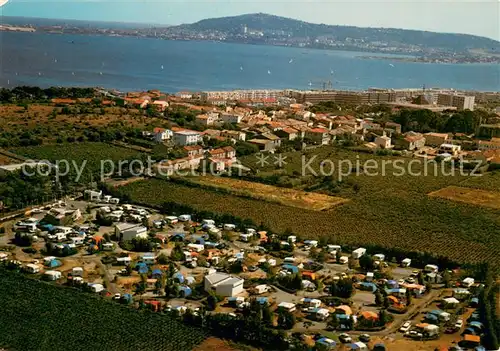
[(276, 26)]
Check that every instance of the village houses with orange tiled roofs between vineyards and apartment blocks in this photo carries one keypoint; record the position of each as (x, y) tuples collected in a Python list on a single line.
[(269, 130)]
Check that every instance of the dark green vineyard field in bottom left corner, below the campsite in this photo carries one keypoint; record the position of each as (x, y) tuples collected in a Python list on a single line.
[(40, 316)]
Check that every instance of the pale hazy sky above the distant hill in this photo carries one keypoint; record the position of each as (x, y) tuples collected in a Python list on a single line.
[(479, 17)]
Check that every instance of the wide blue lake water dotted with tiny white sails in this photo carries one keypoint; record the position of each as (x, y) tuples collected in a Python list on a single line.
[(127, 64)]
